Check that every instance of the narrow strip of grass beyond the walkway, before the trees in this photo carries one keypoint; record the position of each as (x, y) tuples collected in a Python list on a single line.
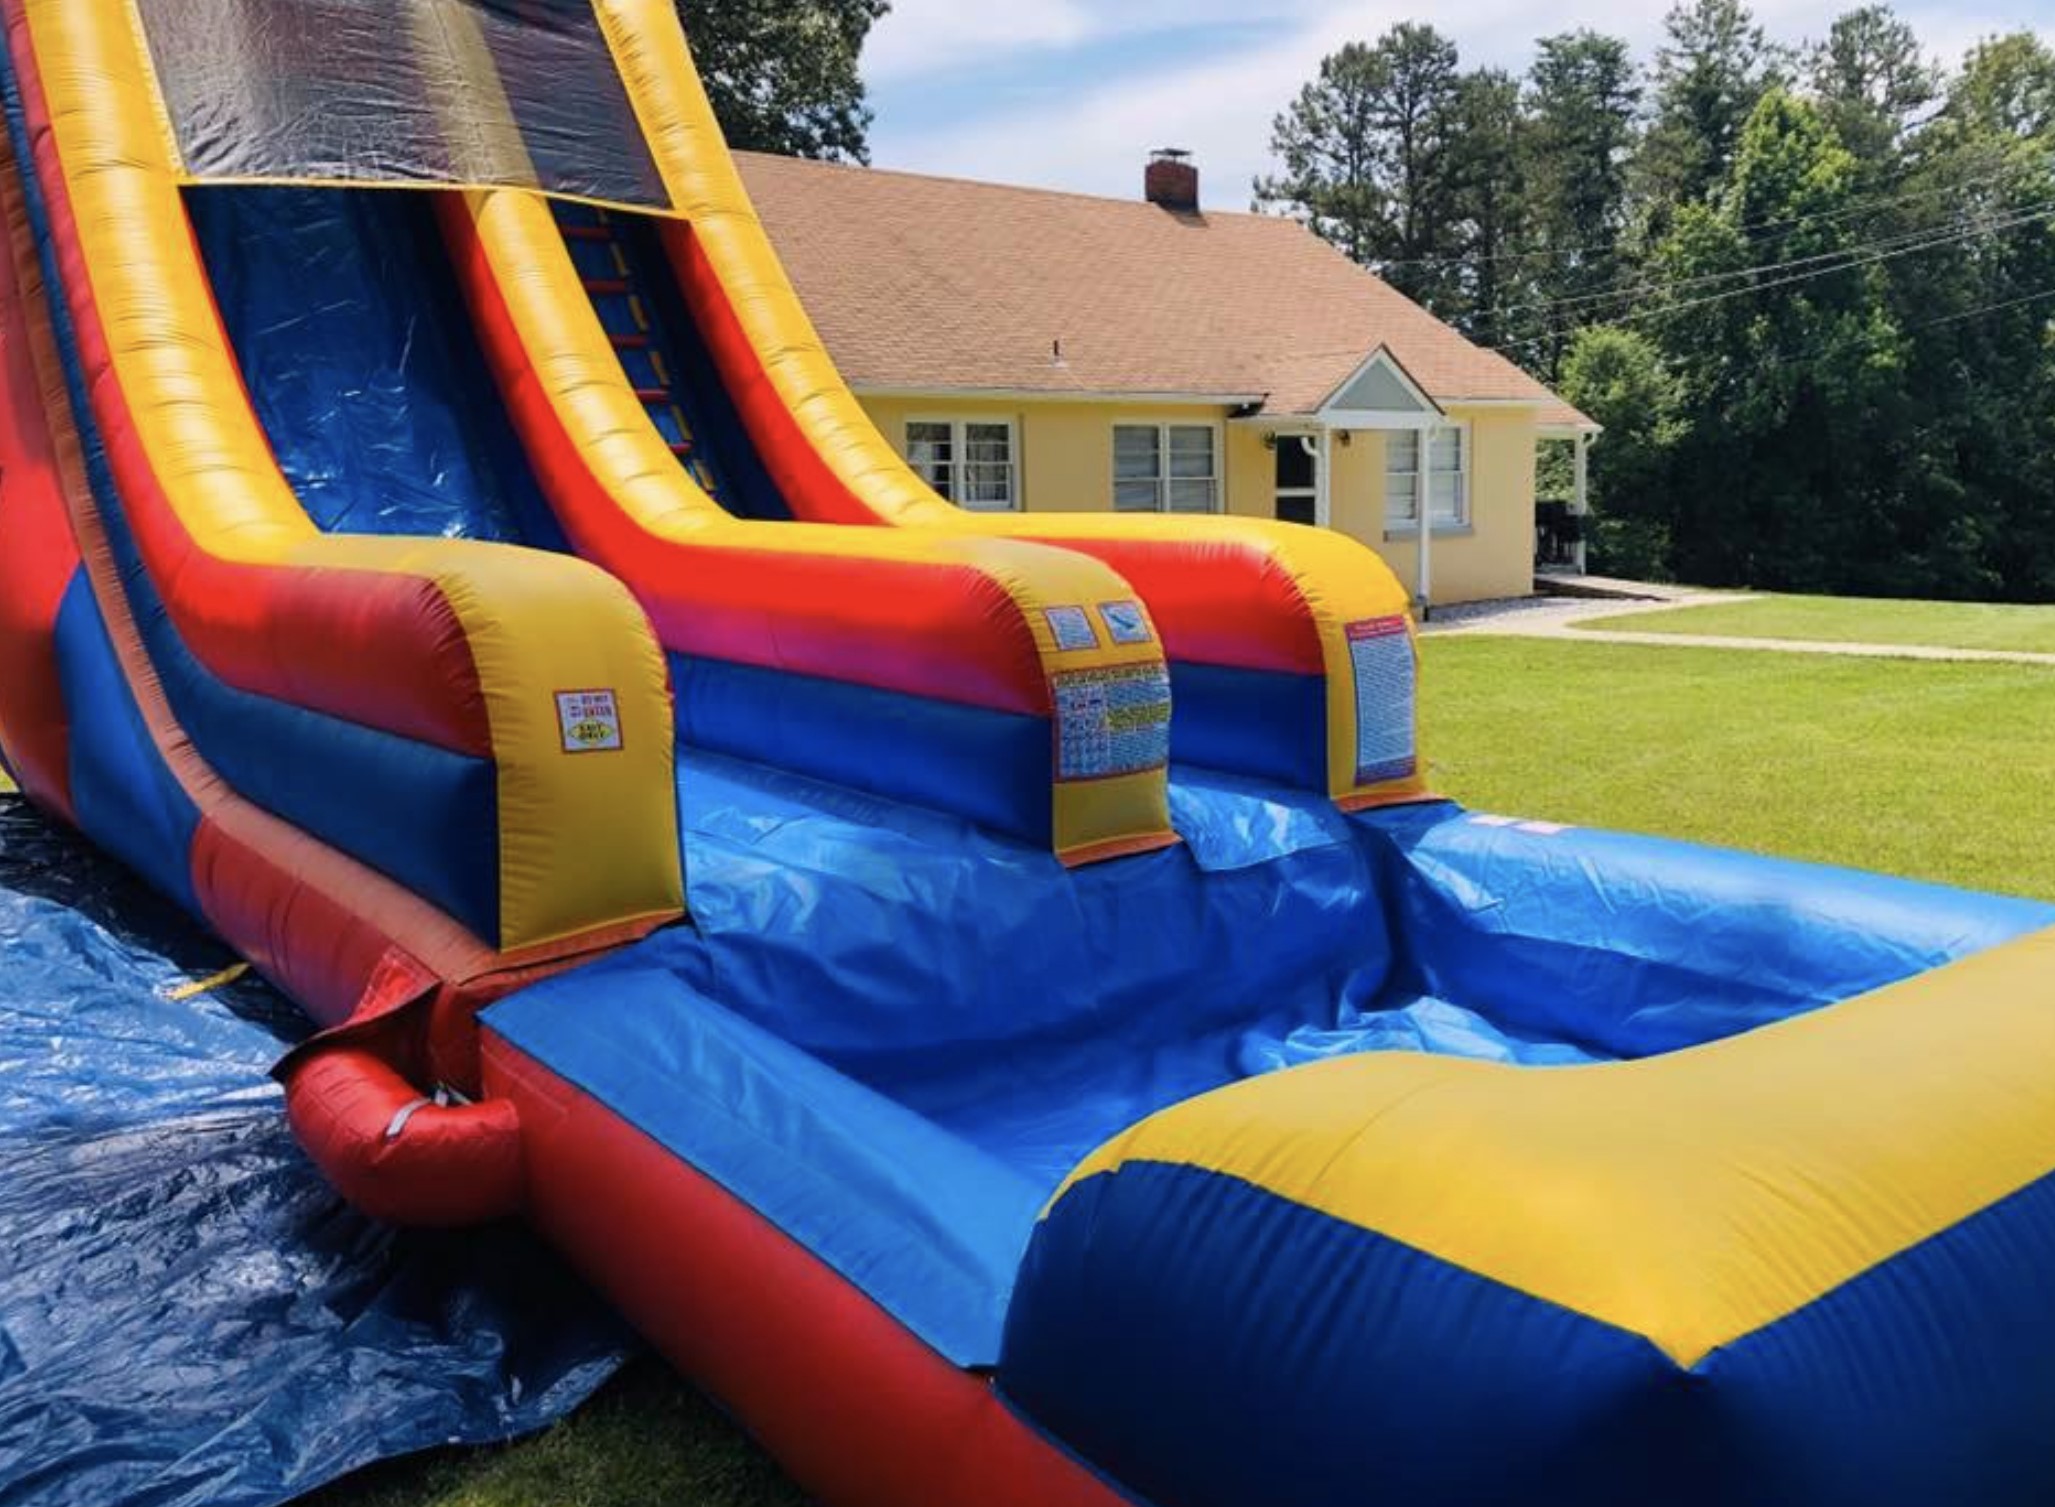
[(1848, 620)]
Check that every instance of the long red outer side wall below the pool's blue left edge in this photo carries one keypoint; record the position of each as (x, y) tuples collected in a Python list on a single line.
[(850, 1401)]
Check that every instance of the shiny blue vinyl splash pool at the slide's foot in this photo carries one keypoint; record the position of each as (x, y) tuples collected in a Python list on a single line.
[(895, 1035)]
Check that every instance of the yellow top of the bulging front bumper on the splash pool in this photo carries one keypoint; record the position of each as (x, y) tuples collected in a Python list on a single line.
[(1690, 1200)]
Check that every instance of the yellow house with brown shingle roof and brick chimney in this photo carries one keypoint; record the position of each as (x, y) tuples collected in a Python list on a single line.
[(1061, 353)]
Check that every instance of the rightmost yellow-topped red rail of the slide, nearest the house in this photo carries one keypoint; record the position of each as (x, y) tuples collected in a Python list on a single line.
[(1234, 593)]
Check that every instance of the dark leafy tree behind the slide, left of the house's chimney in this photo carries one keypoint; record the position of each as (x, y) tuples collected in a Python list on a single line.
[(784, 73)]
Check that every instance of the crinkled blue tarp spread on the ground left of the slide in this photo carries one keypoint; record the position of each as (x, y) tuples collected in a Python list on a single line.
[(188, 1315)]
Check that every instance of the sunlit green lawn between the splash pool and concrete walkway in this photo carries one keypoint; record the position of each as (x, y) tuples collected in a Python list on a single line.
[(1929, 770)]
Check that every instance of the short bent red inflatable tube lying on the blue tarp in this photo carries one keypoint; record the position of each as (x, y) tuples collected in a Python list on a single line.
[(396, 1154)]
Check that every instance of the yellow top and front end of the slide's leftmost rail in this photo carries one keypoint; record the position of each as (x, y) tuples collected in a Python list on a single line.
[(585, 842)]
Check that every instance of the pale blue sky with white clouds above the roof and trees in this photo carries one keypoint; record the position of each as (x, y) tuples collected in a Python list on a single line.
[(1076, 94)]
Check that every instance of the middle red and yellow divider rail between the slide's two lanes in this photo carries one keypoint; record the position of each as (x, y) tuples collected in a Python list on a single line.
[(926, 614)]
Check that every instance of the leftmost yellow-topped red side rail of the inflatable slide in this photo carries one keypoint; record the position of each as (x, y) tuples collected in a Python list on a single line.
[(445, 642)]
